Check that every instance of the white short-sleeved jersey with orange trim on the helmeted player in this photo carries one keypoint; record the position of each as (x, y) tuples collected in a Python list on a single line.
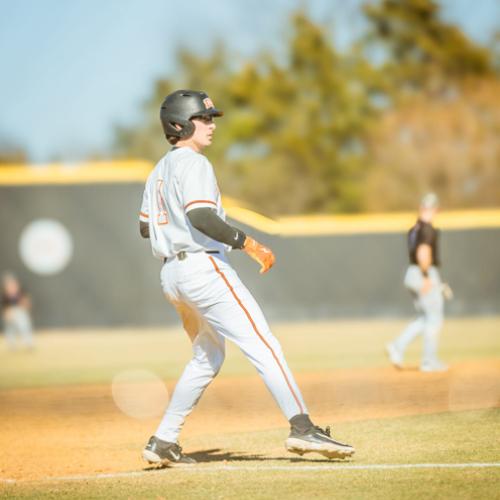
[(181, 181)]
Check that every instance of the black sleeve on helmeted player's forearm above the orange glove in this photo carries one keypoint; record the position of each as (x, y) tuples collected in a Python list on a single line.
[(209, 223)]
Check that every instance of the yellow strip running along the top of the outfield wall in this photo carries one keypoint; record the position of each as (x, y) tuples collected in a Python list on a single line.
[(309, 225)]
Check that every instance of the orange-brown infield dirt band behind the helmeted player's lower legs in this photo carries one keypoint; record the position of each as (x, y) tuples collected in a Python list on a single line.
[(74, 430)]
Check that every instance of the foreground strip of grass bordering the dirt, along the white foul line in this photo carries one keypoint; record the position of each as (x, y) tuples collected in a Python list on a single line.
[(258, 471)]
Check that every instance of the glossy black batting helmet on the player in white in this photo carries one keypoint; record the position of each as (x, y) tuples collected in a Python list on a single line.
[(182, 105)]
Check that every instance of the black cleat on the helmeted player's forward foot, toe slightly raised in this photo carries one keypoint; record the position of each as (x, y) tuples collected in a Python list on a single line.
[(318, 440)]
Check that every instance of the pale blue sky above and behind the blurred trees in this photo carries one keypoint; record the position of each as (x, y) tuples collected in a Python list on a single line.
[(70, 69)]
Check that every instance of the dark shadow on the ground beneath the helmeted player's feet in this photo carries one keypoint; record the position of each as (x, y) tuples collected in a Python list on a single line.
[(218, 455)]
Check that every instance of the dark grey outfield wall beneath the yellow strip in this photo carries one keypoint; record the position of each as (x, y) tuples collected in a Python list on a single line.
[(112, 279)]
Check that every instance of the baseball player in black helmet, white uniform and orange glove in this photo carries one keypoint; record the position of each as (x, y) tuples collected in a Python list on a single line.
[(183, 218)]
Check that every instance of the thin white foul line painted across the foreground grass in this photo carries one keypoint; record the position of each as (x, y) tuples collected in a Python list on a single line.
[(218, 468)]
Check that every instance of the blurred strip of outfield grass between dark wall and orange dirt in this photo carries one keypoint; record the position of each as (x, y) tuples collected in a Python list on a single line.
[(96, 356)]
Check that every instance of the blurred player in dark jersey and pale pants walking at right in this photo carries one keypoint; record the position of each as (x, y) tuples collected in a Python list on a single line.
[(424, 282)]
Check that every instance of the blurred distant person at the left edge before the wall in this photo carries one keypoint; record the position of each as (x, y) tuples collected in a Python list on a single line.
[(16, 313)]
